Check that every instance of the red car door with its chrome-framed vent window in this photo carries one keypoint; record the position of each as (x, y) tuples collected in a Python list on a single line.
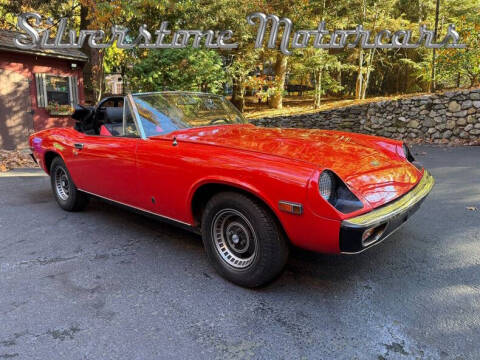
[(106, 165)]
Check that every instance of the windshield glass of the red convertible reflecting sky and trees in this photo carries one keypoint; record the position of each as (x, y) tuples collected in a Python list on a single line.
[(162, 113)]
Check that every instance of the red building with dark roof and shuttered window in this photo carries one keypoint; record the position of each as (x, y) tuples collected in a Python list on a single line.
[(37, 87)]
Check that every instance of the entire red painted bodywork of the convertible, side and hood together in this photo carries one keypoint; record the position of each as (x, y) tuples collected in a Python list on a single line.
[(161, 176)]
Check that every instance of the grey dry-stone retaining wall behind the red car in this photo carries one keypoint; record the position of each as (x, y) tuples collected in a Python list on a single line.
[(445, 117)]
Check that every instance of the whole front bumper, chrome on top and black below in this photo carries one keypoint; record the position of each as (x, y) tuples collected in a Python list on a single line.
[(386, 218)]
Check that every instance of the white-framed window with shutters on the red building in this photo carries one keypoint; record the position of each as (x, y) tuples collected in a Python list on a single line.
[(56, 90)]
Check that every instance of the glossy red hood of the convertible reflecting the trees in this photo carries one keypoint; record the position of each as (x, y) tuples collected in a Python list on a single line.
[(370, 166)]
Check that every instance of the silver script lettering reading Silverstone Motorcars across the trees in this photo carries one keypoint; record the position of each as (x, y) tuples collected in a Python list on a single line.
[(321, 38)]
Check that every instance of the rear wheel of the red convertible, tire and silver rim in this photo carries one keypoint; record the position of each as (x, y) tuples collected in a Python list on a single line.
[(64, 189)]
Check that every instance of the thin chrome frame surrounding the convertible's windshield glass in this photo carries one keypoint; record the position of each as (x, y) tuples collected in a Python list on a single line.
[(139, 122)]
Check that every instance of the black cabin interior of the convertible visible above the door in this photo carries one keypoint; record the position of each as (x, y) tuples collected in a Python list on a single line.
[(107, 113)]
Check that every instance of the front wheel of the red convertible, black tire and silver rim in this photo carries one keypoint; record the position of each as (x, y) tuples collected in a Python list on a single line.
[(231, 223)]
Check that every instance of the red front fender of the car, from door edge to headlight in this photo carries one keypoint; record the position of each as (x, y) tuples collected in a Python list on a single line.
[(172, 174)]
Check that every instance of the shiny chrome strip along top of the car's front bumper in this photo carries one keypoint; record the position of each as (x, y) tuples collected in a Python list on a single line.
[(383, 213)]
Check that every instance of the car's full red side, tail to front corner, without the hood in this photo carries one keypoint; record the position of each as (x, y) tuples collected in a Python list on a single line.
[(171, 175)]
